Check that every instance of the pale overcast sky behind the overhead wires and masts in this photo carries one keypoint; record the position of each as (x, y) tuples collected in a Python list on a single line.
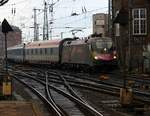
[(23, 18)]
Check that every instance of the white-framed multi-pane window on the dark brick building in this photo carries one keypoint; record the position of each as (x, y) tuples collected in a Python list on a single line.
[(139, 21)]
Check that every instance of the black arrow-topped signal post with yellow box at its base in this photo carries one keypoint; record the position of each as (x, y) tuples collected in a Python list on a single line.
[(7, 83)]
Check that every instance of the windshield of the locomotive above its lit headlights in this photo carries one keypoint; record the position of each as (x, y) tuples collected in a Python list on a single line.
[(102, 45)]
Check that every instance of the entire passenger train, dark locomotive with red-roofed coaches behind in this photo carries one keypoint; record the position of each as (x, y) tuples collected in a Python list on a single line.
[(91, 52)]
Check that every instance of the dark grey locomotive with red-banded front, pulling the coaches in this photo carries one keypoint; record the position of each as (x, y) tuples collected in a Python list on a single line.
[(95, 51)]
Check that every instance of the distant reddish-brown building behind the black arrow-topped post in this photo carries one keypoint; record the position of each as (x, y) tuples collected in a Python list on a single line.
[(13, 38)]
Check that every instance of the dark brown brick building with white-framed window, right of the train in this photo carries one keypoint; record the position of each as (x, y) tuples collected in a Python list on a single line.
[(131, 22)]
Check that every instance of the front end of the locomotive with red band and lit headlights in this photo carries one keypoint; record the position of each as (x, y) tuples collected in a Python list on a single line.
[(103, 51)]
